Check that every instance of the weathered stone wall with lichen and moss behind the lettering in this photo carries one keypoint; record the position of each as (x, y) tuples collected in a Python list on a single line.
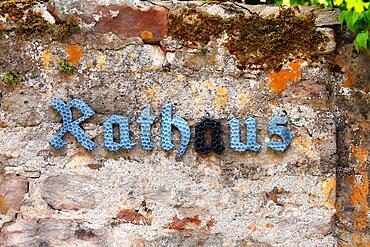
[(219, 60)]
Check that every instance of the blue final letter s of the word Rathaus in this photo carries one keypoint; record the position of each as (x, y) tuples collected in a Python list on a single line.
[(276, 127)]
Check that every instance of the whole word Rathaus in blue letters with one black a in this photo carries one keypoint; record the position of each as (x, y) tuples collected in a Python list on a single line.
[(276, 127)]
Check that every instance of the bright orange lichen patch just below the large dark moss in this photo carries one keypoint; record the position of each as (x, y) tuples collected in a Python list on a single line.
[(279, 80)]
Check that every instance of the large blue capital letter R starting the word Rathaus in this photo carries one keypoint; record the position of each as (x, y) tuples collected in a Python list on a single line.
[(72, 126)]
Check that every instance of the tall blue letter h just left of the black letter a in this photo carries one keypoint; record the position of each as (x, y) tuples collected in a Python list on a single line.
[(180, 124)]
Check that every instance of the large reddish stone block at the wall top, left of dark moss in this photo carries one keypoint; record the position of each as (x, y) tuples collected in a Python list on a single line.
[(127, 21)]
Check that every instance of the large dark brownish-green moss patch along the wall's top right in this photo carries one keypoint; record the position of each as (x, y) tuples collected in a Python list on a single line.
[(253, 40)]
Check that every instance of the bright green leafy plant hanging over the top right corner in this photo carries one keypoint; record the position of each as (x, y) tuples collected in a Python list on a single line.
[(354, 13)]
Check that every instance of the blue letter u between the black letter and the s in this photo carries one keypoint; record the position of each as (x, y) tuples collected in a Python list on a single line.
[(235, 143)]
